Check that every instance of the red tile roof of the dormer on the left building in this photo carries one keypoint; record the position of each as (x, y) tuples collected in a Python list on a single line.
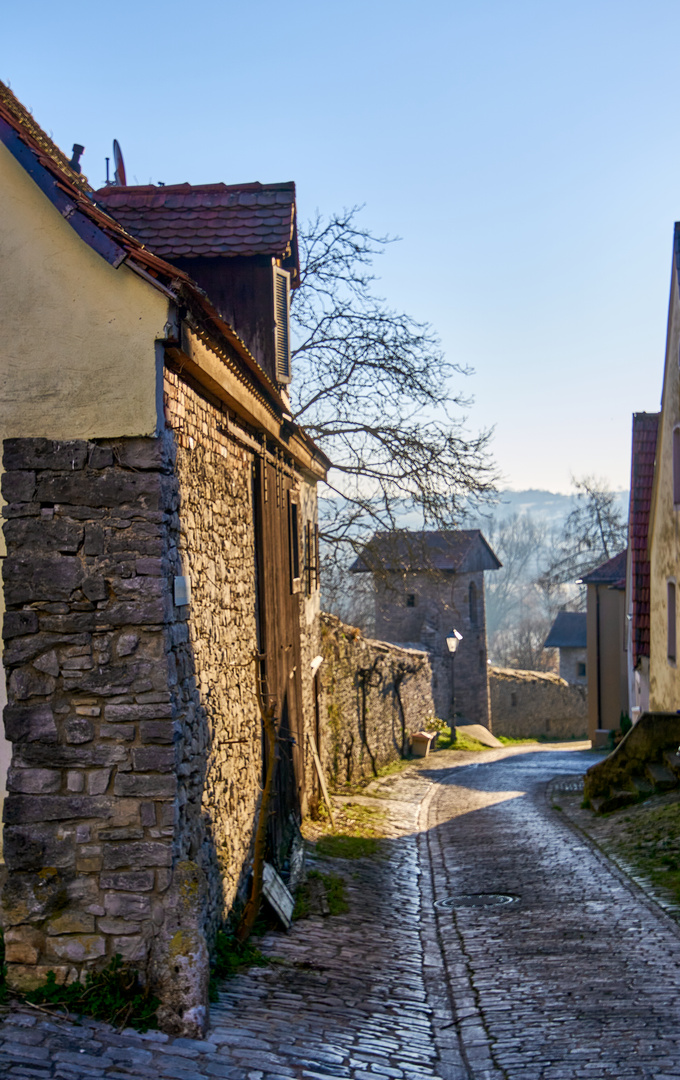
[(208, 221)]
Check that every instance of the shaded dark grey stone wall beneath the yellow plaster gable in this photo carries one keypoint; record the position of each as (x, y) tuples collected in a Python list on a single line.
[(94, 713)]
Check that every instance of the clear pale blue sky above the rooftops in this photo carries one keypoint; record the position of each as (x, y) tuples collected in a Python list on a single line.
[(527, 155)]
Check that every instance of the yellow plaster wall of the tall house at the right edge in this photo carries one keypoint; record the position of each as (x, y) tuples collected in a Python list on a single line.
[(665, 538)]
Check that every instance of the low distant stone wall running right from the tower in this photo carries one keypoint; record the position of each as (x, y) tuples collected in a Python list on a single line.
[(527, 705)]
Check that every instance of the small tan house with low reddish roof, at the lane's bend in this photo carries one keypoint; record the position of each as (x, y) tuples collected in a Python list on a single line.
[(607, 651)]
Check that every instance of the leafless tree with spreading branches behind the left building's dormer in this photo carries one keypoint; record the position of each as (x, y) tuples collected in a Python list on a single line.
[(374, 389)]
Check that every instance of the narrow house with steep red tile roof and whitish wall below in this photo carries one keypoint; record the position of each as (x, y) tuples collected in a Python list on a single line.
[(645, 436)]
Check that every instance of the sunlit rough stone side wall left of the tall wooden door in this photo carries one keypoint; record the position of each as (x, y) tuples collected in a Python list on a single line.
[(219, 812)]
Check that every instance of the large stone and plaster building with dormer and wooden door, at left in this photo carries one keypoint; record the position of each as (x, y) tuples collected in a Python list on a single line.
[(161, 533)]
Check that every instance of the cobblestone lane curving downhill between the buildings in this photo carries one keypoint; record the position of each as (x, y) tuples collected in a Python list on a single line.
[(579, 978)]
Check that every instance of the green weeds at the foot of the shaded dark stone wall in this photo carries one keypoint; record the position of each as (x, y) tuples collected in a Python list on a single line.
[(114, 995)]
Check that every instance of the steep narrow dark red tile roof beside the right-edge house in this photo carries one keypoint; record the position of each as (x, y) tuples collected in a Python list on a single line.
[(645, 433)]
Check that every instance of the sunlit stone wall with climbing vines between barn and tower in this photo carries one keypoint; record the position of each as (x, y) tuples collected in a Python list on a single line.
[(375, 695)]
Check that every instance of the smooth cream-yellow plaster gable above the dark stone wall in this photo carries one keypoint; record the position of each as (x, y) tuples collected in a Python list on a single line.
[(77, 337)]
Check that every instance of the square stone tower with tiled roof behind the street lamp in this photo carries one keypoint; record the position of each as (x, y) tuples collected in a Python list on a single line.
[(429, 587)]
